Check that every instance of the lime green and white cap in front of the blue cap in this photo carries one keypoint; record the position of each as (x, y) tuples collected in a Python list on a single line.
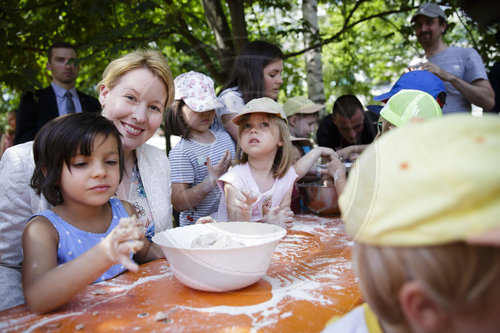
[(408, 104)]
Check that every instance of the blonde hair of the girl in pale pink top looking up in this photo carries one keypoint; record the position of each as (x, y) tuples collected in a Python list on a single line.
[(284, 156)]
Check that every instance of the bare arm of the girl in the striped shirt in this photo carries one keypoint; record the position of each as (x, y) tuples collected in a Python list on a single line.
[(185, 197)]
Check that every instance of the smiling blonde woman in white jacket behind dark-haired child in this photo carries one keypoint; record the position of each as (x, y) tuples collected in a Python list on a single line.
[(134, 92)]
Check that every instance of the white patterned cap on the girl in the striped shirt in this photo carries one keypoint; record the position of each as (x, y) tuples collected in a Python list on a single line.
[(197, 91)]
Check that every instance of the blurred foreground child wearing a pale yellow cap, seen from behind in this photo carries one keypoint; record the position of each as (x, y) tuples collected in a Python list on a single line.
[(423, 206)]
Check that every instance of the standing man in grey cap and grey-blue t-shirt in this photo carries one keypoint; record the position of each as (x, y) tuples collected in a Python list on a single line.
[(461, 69)]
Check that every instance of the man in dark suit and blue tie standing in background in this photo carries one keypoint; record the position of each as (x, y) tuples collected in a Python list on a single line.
[(61, 97)]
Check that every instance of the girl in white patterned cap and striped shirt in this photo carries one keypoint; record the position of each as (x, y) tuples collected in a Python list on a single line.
[(203, 154)]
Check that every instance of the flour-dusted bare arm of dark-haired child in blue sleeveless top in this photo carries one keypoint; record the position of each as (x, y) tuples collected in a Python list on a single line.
[(48, 286)]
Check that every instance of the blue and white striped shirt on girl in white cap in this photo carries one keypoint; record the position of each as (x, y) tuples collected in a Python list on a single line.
[(188, 162)]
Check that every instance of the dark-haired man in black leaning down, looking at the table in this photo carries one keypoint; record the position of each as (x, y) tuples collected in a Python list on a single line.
[(348, 125)]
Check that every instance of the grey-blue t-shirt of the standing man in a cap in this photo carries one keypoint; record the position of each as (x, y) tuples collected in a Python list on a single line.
[(464, 63)]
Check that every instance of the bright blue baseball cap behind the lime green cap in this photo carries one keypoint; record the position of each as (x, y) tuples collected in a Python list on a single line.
[(418, 80)]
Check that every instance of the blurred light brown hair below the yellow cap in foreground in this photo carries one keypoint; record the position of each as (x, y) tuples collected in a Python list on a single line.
[(456, 276)]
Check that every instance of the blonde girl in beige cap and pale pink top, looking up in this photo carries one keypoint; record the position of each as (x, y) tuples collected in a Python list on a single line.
[(259, 187)]
